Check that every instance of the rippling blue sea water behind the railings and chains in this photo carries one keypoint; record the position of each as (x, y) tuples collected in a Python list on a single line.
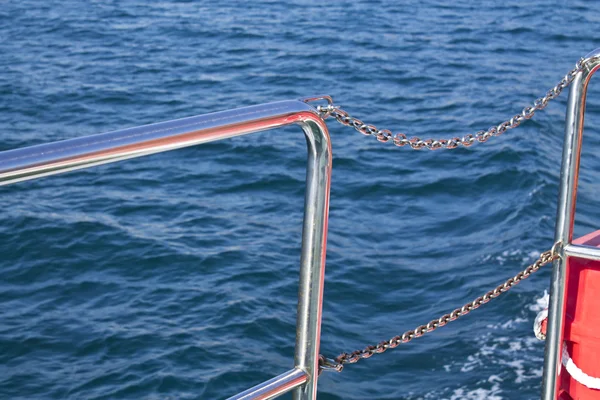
[(175, 275)]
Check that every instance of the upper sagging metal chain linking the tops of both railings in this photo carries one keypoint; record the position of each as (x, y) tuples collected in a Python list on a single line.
[(416, 143)]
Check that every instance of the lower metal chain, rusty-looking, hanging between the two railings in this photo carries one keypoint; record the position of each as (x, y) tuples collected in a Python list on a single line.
[(337, 364)]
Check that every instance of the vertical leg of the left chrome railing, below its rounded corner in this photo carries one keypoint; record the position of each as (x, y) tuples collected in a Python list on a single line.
[(312, 261)]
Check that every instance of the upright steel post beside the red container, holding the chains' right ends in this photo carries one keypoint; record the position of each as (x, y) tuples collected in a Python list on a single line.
[(569, 175)]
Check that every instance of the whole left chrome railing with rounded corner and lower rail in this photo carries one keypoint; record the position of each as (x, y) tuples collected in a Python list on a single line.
[(53, 158)]
